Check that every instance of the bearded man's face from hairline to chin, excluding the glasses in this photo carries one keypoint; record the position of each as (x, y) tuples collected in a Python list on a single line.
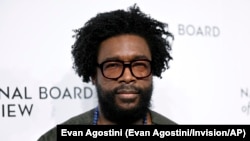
[(127, 98)]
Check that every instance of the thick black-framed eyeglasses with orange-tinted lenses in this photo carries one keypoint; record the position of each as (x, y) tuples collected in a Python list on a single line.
[(115, 69)]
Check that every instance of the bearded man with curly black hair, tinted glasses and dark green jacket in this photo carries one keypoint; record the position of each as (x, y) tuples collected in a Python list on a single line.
[(120, 52)]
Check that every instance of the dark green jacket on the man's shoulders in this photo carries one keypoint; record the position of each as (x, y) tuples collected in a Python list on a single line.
[(87, 119)]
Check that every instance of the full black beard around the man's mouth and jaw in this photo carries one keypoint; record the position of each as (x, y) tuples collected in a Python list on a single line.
[(116, 114)]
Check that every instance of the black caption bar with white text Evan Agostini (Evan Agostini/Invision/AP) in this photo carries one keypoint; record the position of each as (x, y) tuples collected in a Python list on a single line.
[(156, 132)]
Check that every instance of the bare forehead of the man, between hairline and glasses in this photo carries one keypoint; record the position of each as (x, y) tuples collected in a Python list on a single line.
[(126, 47)]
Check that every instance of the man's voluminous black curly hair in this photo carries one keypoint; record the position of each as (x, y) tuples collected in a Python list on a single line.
[(109, 24)]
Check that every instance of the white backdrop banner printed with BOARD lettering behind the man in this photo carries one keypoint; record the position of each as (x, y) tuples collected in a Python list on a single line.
[(208, 81)]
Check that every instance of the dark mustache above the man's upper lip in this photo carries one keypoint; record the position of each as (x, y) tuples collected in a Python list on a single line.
[(127, 89)]
